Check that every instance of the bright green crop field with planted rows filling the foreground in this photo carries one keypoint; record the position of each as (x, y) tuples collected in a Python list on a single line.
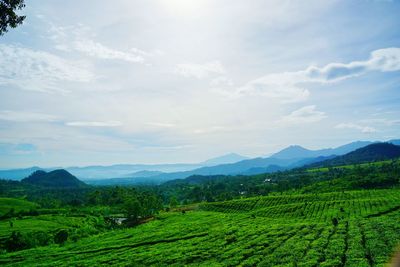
[(354, 228)]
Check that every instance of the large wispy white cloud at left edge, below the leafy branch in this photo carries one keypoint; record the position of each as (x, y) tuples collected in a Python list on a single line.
[(38, 70)]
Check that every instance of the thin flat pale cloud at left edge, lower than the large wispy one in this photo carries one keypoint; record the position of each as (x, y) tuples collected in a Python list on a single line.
[(21, 116)]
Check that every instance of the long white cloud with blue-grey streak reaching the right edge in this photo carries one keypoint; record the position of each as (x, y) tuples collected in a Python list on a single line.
[(285, 86)]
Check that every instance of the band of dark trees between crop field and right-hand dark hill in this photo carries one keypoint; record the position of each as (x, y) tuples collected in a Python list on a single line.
[(220, 188)]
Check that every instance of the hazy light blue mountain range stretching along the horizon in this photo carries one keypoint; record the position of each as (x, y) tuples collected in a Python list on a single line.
[(230, 164)]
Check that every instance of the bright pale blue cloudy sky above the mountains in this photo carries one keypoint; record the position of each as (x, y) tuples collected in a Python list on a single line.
[(165, 81)]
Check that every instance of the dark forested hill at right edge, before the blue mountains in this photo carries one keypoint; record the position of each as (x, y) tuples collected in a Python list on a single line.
[(370, 153)]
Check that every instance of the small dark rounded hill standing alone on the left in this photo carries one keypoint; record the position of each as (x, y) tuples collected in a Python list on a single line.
[(57, 178)]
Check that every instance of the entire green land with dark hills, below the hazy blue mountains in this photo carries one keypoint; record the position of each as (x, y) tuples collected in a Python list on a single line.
[(341, 211)]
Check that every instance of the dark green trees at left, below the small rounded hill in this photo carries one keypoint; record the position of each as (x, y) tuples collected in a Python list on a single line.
[(134, 203)]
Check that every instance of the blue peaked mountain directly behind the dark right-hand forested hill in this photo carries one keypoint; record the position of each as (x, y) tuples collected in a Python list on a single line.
[(296, 151)]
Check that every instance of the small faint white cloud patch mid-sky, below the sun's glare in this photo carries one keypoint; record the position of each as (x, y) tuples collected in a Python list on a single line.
[(200, 71)]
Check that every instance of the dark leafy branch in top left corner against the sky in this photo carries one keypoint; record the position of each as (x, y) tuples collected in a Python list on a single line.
[(8, 17)]
